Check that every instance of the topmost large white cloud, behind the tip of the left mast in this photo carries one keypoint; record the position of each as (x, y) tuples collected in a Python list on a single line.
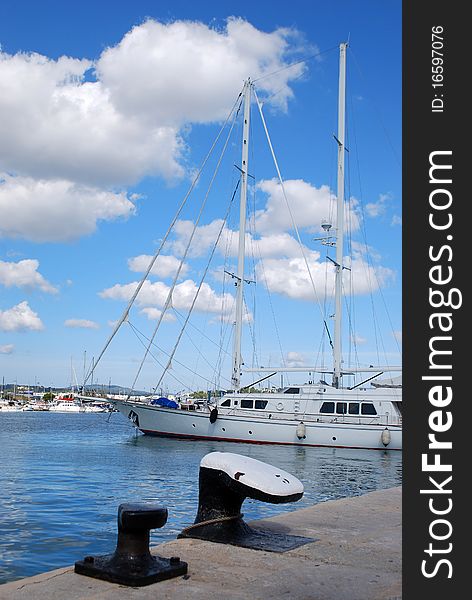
[(187, 72)]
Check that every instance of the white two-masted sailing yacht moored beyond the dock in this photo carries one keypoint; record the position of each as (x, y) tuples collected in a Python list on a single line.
[(364, 415)]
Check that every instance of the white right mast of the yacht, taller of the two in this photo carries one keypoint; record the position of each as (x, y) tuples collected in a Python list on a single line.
[(340, 217)]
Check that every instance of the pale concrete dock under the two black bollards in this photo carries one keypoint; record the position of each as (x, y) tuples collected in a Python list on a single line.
[(356, 556)]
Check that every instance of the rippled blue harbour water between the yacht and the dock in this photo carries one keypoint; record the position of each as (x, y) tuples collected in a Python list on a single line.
[(62, 477)]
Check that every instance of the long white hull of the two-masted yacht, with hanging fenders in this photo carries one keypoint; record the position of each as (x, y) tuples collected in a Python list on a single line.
[(167, 422)]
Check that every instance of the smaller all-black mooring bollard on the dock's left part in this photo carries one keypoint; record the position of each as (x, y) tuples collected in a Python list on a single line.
[(132, 563)]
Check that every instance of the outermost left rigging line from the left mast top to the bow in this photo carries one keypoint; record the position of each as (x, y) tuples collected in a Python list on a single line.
[(125, 314)]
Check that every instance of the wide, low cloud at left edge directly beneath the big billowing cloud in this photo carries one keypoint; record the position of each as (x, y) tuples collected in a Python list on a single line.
[(55, 211)]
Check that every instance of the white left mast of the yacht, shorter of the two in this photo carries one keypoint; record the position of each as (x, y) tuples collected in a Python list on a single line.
[(236, 373)]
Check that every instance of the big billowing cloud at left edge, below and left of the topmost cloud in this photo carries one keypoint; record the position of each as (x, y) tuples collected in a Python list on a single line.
[(56, 125)]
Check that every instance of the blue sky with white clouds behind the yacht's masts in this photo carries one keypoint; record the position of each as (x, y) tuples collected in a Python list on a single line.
[(107, 110)]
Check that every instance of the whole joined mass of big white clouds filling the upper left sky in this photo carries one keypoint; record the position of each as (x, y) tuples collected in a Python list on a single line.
[(72, 128)]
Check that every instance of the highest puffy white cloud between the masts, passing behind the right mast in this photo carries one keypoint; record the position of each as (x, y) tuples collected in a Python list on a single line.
[(309, 205)]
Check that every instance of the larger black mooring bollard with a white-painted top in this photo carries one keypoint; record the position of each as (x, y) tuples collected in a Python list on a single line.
[(225, 481)]
